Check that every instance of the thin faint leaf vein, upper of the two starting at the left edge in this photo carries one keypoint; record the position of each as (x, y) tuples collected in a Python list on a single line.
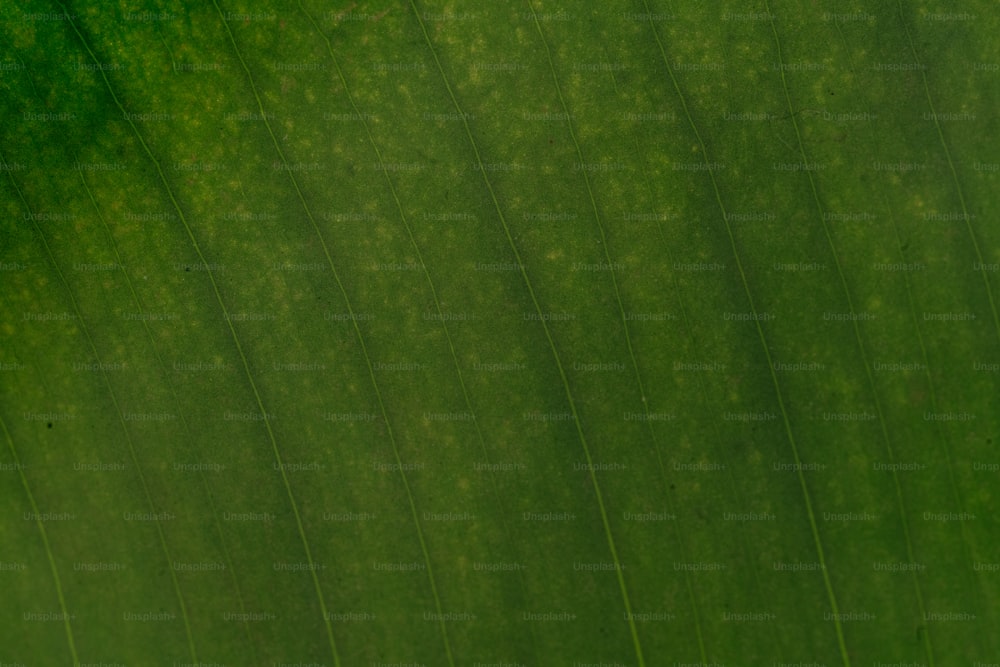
[(118, 411)]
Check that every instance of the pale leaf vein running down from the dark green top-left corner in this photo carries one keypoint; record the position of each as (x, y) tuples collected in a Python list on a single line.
[(229, 324)]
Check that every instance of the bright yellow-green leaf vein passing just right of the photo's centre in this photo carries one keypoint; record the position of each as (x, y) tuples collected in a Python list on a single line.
[(548, 335)]
